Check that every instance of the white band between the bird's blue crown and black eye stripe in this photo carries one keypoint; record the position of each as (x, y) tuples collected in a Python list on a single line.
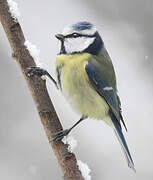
[(70, 30)]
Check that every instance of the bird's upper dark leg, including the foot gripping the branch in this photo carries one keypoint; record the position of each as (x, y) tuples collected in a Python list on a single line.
[(31, 71)]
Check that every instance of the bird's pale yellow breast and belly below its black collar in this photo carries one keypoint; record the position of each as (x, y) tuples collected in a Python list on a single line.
[(77, 88)]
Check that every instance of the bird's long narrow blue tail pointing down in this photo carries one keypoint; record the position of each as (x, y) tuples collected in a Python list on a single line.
[(120, 136)]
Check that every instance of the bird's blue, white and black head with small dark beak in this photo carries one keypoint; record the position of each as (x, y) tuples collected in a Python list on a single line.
[(80, 37)]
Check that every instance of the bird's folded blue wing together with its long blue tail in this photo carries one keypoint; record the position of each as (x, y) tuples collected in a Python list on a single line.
[(104, 89)]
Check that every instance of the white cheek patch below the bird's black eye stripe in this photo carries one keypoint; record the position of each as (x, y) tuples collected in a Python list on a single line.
[(77, 44)]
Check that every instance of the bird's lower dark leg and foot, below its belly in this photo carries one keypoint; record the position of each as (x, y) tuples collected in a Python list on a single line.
[(59, 135)]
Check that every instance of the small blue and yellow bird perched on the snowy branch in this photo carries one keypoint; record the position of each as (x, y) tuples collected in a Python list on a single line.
[(86, 77)]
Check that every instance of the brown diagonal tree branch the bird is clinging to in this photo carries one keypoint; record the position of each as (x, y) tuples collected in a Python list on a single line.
[(37, 86)]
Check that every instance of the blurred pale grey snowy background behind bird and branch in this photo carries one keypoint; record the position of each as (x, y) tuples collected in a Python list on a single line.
[(126, 28)]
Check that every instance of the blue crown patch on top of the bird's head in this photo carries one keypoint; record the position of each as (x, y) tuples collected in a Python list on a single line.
[(82, 26)]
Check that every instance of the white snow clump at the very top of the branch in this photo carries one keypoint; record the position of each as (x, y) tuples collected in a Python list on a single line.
[(13, 8)]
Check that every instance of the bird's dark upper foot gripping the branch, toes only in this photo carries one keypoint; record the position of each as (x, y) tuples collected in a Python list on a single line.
[(31, 71)]
